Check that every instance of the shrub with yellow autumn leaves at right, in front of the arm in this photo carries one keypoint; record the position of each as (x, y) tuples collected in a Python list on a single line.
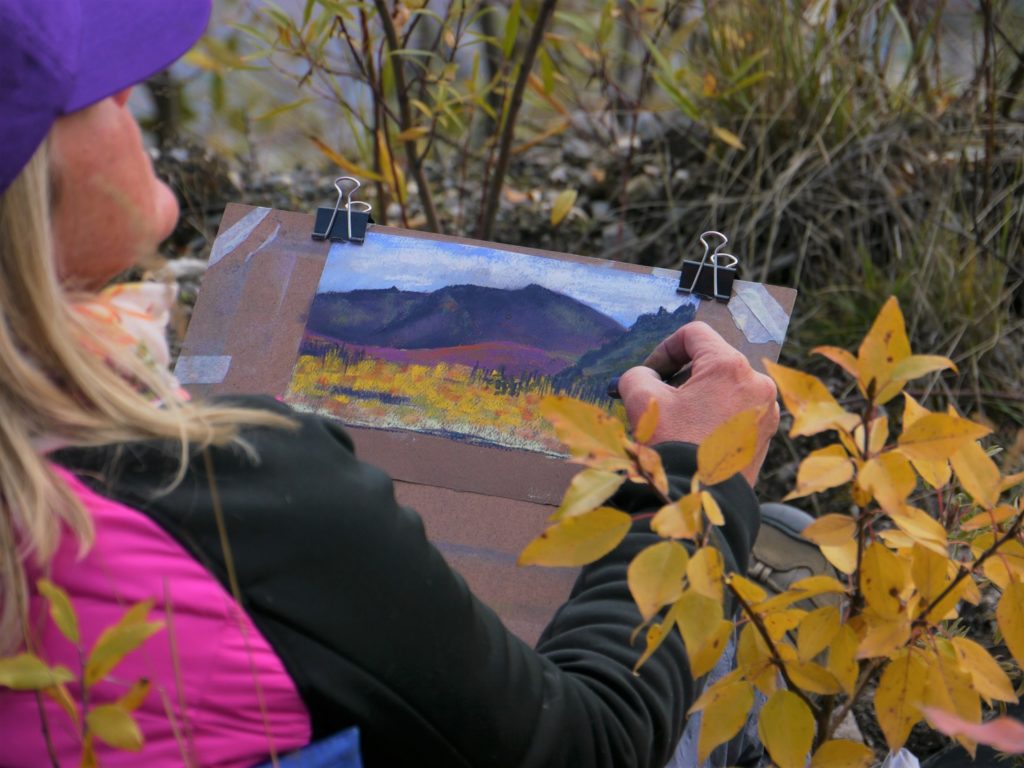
[(930, 529)]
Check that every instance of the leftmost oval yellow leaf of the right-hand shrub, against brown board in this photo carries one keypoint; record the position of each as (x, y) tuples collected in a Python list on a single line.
[(580, 540)]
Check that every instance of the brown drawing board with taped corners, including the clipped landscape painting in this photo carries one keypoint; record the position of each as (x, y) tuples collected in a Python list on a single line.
[(436, 353)]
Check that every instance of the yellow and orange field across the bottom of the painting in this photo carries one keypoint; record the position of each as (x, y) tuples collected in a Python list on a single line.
[(451, 400)]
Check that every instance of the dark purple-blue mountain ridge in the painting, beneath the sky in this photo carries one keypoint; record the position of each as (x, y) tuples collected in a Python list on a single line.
[(457, 316)]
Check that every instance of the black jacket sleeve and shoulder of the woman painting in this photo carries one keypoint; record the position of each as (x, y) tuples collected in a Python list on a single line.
[(377, 631)]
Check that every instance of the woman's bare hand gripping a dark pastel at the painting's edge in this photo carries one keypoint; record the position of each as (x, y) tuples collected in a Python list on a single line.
[(721, 386)]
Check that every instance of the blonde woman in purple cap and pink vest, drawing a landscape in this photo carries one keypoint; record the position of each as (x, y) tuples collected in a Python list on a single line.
[(296, 599)]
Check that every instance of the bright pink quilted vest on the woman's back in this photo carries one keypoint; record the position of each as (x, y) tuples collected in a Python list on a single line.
[(221, 696)]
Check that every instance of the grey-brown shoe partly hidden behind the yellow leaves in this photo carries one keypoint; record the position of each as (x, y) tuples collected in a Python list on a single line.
[(782, 557)]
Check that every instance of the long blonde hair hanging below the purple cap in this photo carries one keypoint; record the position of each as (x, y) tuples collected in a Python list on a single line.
[(54, 388)]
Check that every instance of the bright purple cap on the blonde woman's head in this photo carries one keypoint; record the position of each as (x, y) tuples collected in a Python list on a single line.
[(61, 56)]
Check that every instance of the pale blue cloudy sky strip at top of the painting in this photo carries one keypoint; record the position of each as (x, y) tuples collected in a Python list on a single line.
[(425, 266)]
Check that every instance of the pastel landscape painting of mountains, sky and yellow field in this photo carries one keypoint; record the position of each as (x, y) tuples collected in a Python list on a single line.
[(465, 340)]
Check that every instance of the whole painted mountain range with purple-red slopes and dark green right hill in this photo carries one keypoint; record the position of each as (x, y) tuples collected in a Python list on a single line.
[(527, 331)]
